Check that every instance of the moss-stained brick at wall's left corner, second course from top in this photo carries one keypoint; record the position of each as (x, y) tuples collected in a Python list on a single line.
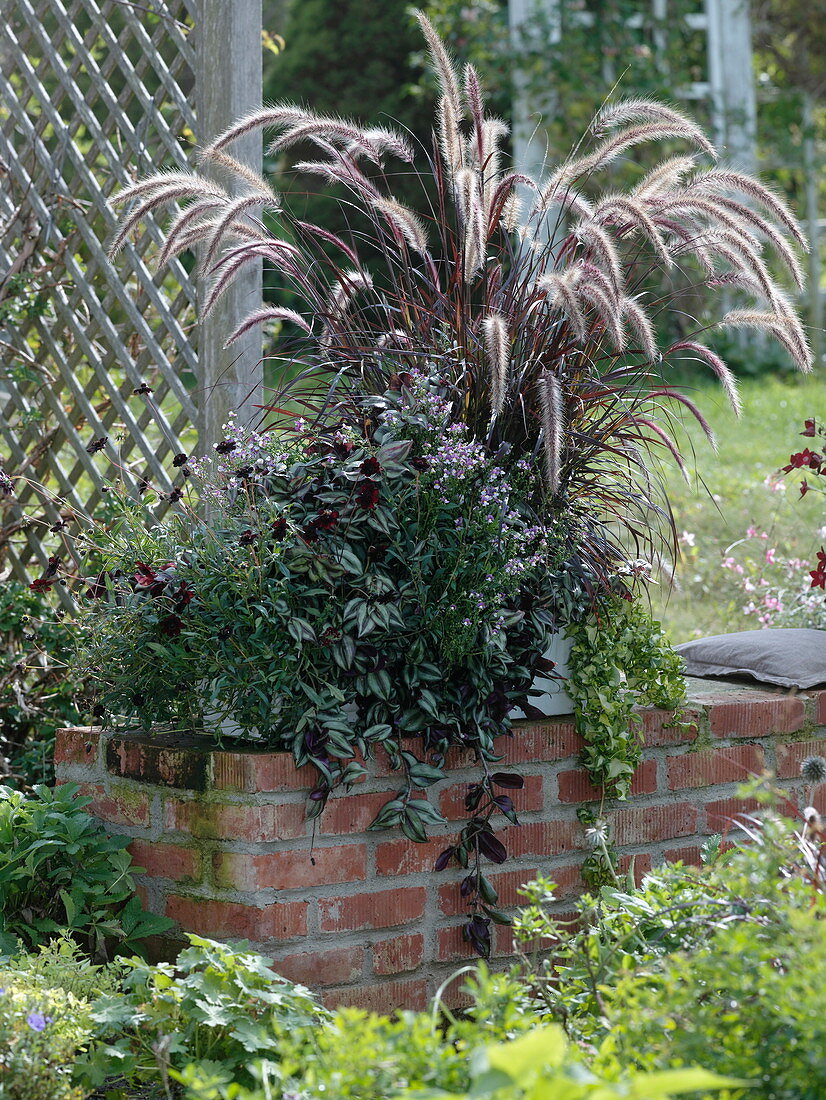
[(236, 821)]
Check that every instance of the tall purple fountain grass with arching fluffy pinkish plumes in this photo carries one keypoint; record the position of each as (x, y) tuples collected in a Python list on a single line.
[(528, 294)]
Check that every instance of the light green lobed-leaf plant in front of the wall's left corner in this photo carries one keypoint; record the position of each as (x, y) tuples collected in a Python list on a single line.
[(216, 1008)]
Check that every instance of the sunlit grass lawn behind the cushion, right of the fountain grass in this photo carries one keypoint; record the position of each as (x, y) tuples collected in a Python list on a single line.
[(728, 494)]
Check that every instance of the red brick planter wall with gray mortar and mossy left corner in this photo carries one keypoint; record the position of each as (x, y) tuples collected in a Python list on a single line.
[(360, 915)]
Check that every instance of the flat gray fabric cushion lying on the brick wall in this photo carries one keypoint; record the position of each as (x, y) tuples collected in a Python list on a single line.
[(792, 658)]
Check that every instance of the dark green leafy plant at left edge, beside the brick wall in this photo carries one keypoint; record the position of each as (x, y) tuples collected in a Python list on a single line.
[(60, 871)]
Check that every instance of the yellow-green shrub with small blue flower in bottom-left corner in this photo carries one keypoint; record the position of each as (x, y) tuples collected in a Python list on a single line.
[(42, 1031)]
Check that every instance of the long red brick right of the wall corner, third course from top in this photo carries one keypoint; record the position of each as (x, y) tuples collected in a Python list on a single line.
[(292, 870)]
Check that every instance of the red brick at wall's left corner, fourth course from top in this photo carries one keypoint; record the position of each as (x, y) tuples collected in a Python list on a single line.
[(206, 917)]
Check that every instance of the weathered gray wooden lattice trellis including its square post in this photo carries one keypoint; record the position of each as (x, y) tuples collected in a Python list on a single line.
[(93, 95)]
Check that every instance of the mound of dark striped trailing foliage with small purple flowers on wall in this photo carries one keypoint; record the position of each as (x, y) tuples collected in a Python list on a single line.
[(349, 596)]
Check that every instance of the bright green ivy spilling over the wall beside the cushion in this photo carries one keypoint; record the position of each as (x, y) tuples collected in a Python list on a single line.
[(620, 658)]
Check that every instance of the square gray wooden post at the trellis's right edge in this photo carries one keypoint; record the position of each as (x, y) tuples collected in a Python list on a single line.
[(229, 85)]
